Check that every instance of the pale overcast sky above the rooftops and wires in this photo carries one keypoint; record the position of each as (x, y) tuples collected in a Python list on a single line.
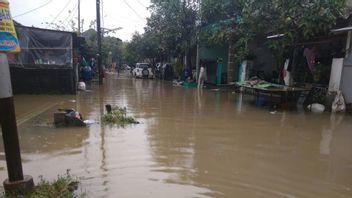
[(129, 14)]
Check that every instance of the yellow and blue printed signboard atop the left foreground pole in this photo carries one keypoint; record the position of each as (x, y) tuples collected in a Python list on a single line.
[(8, 38)]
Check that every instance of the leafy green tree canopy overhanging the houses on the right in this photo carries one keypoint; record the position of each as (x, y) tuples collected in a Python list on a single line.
[(241, 21)]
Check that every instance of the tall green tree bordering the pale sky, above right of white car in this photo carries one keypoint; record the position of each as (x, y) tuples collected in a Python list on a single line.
[(173, 23)]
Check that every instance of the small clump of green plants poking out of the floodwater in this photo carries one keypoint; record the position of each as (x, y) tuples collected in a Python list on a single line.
[(118, 116)]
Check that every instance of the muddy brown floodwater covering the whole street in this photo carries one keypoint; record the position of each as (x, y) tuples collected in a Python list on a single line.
[(189, 144)]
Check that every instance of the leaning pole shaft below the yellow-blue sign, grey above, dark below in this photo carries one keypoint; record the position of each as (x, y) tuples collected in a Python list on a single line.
[(8, 123)]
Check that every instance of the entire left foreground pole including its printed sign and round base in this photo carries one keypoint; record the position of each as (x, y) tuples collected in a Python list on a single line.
[(17, 182)]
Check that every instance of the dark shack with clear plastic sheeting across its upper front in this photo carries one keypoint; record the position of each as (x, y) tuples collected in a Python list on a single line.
[(46, 63)]
